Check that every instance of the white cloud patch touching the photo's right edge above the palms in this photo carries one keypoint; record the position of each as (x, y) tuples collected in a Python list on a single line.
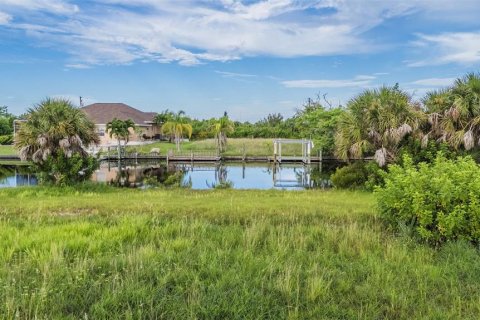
[(459, 47)]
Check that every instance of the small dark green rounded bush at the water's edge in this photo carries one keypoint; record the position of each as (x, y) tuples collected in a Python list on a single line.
[(359, 175)]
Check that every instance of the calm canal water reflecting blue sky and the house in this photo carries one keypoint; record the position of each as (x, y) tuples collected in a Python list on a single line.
[(196, 175)]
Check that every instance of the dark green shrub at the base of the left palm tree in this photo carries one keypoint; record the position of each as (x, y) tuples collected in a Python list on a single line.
[(65, 170)]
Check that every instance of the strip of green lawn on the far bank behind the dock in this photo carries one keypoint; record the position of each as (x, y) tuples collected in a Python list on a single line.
[(235, 147)]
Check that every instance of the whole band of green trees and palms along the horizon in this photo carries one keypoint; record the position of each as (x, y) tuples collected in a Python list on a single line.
[(382, 123)]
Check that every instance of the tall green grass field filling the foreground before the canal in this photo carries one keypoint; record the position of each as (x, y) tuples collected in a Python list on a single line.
[(102, 253)]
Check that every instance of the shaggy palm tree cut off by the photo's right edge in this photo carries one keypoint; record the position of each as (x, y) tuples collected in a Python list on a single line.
[(454, 113)]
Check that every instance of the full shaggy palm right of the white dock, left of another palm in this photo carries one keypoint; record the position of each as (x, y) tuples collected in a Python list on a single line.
[(376, 121)]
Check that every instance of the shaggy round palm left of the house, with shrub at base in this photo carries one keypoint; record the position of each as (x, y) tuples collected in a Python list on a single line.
[(54, 137)]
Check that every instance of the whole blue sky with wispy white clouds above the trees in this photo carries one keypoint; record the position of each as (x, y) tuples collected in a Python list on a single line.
[(249, 58)]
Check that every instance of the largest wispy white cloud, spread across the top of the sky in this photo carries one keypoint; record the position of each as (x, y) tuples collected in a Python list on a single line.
[(193, 32)]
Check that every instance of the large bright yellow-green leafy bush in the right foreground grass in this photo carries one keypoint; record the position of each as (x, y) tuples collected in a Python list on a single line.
[(436, 202)]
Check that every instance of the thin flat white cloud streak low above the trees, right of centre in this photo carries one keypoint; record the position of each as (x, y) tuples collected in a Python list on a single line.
[(358, 81)]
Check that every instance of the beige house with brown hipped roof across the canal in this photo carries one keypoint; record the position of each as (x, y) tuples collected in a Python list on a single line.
[(102, 113)]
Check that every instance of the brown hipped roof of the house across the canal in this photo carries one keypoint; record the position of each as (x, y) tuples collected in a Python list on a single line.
[(102, 113)]
